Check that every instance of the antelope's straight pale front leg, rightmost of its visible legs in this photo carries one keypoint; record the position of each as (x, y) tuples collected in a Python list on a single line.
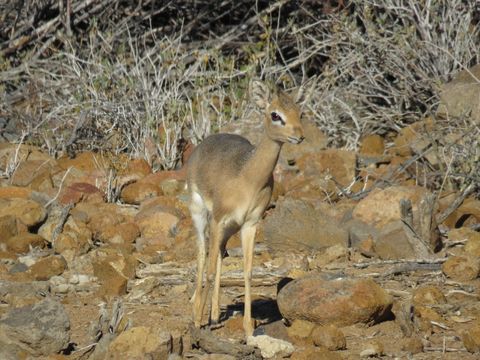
[(248, 240)]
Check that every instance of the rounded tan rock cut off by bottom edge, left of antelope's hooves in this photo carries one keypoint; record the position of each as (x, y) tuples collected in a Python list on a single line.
[(140, 342)]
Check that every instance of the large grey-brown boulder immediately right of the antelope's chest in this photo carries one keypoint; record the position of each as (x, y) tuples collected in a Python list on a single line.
[(297, 225)]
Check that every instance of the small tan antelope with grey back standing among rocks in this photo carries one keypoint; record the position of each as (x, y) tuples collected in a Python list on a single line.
[(230, 184)]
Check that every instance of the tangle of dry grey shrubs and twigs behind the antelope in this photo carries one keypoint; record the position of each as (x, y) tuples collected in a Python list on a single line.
[(144, 78)]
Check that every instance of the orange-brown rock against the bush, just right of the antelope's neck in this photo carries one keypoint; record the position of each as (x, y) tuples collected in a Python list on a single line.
[(339, 164)]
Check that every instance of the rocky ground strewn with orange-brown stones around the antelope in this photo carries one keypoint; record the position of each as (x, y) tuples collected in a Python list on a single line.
[(98, 258)]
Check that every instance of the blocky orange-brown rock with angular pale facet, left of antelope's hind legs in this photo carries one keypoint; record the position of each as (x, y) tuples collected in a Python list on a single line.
[(113, 269)]
